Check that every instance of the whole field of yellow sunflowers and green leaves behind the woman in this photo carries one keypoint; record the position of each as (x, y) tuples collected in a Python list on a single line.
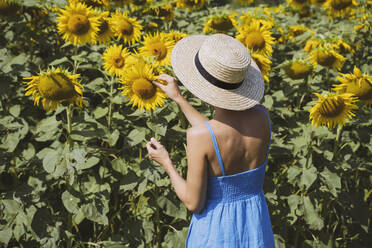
[(77, 107)]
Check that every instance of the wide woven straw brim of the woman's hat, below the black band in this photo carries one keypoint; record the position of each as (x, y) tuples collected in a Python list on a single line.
[(246, 96)]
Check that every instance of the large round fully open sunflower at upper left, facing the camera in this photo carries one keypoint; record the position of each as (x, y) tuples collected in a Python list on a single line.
[(78, 24)]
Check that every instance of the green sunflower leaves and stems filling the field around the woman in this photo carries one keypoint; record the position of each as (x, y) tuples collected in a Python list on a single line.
[(87, 182)]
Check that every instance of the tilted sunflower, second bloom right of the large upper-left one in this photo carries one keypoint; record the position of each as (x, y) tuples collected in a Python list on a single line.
[(125, 27)]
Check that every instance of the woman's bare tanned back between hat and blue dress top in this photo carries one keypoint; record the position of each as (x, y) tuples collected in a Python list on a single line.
[(242, 140)]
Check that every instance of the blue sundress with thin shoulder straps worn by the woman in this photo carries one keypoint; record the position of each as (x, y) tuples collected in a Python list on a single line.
[(236, 213)]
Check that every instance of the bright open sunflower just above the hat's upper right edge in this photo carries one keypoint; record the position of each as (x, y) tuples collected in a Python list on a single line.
[(257, 38)]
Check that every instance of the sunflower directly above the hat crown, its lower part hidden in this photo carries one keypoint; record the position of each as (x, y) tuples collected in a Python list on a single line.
[(219, 23)]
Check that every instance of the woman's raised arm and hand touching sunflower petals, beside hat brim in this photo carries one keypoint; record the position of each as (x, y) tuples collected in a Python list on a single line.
[(172, 91)]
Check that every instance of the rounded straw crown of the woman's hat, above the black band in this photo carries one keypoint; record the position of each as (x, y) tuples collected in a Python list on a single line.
[(225, 58)]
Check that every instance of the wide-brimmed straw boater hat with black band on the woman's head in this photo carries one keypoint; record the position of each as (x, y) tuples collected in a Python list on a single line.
[(219, 70)]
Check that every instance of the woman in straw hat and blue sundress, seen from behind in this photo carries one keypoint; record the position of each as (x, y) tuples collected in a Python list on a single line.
[(227, 155)]
